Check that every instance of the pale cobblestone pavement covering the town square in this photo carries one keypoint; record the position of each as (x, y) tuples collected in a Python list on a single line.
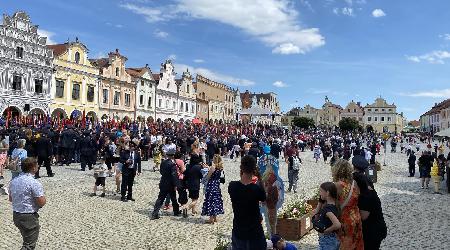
[(417, 219)]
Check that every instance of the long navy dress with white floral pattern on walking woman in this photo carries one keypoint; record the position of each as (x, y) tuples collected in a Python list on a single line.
[(213, 204)]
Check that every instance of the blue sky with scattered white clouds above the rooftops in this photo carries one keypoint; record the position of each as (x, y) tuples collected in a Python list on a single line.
[(300, 49)]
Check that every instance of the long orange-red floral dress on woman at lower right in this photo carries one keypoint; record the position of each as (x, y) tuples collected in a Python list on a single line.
[(350, 235)]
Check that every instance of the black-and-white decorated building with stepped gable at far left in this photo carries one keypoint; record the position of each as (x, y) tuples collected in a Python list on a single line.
[(26, 67)]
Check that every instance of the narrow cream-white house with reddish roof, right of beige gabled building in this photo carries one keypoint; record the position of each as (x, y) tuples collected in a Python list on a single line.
[(145, 92)]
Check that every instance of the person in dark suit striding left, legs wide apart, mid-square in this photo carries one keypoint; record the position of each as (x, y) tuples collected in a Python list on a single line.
[(167, 185)]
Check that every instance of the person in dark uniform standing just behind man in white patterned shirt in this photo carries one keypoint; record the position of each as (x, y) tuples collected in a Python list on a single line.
[(44, 153)]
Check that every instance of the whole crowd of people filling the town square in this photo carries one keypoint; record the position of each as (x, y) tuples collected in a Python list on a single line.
[(189, 158)]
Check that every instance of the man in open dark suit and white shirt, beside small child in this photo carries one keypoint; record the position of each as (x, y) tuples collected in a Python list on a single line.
[(131, 160)]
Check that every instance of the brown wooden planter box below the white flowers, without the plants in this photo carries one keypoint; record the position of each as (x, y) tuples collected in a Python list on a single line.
[(294, 229)]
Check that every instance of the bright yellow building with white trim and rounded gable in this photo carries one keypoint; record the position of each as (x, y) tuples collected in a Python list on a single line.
[(75, 82)]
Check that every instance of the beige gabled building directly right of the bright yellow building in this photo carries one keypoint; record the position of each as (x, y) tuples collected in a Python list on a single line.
[(117, 91)]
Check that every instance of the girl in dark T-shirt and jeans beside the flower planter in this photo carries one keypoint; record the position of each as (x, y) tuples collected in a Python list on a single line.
[(325, 220)]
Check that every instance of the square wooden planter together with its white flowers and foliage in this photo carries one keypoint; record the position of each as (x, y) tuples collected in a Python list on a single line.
[(295, 220)]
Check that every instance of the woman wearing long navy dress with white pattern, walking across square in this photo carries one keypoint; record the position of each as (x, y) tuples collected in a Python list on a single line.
[(213, 204)]
